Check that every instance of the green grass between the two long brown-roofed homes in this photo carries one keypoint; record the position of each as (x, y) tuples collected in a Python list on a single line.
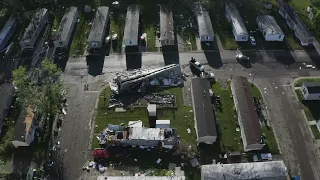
[(230, 139)]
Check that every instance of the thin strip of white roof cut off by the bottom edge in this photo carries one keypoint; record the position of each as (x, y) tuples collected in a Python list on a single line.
[(141, 178)]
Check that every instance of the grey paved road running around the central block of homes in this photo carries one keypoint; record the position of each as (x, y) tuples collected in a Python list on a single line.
[(295, 143)]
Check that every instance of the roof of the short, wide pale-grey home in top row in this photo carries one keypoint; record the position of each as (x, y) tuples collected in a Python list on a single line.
[(269, 24)]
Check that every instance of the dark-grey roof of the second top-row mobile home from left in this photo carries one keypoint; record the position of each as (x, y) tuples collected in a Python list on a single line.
[(34, 24)]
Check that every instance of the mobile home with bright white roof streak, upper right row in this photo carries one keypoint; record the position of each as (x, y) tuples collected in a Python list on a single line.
[(239, 30)]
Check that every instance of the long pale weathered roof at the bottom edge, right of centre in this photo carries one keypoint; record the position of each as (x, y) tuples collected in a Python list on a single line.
[(244, 171)]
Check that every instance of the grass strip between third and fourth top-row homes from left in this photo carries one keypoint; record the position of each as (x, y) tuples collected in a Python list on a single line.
[(80, 38)]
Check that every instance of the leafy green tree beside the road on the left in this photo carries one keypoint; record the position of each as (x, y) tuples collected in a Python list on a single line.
[(42, 89)]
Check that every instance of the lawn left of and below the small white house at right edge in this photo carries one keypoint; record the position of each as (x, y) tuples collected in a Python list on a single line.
[(311, 108)]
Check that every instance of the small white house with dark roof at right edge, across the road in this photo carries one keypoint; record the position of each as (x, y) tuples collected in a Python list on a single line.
[(310, 90)]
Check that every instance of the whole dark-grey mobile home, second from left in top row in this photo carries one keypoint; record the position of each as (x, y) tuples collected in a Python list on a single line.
[(34, 29)]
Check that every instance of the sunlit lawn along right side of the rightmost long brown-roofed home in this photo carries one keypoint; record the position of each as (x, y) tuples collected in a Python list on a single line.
[(271, 143)]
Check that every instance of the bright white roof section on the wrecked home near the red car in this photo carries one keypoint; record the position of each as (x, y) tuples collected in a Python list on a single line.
[(146, 133)]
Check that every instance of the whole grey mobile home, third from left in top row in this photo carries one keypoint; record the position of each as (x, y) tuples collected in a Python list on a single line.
[(67, 25)]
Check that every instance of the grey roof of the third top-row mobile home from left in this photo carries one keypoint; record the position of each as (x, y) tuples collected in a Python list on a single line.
[(66, 23)]
